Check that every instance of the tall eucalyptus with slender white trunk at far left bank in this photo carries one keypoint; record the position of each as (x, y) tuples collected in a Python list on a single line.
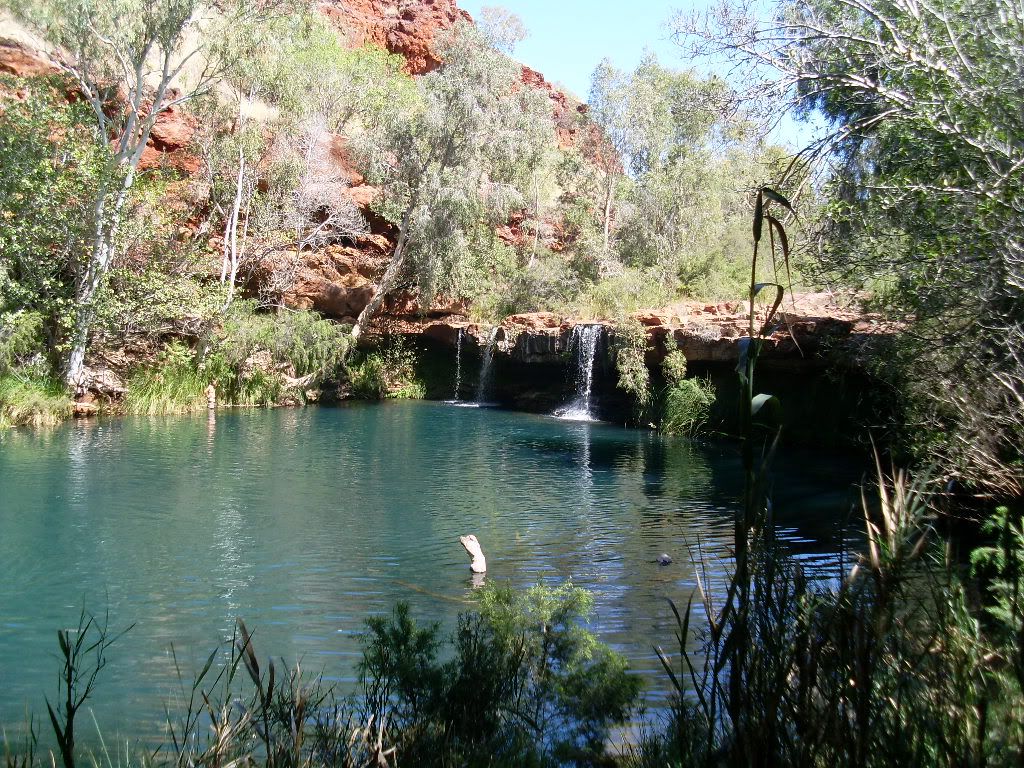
[(133, 61)]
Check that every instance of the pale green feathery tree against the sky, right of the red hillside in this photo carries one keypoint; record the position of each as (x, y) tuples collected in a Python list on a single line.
[(684, 157)]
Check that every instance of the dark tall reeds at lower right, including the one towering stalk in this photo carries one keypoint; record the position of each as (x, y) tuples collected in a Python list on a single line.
[(893, 665)]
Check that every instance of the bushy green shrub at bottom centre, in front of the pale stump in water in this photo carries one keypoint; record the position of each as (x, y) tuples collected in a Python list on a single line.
[(527, 685)]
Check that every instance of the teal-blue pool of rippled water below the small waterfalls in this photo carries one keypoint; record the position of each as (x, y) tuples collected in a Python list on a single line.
[(307, 522)]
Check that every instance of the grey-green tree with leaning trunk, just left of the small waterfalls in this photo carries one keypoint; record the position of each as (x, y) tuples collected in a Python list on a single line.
[(454, 165)]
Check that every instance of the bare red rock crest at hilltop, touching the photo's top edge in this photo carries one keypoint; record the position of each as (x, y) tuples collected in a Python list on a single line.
[(408, 28)]
